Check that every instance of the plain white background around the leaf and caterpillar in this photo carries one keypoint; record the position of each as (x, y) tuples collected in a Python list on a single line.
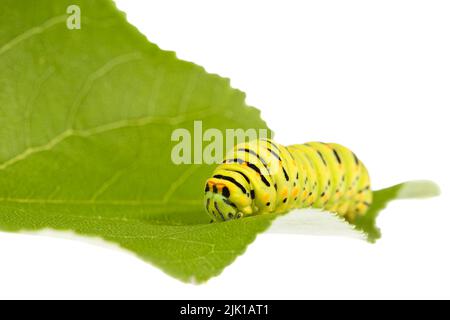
[(372, 75)]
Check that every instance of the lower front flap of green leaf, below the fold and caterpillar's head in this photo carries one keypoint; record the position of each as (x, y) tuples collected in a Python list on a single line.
[(191, 253)]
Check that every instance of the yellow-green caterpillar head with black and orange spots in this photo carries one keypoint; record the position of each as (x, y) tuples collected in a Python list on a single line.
[(225, 201)]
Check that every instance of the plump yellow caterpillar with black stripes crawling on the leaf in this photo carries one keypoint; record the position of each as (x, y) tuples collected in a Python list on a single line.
[(262, 176)]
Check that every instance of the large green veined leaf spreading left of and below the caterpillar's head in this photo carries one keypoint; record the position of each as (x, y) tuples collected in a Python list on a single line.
[(86, 118)]
